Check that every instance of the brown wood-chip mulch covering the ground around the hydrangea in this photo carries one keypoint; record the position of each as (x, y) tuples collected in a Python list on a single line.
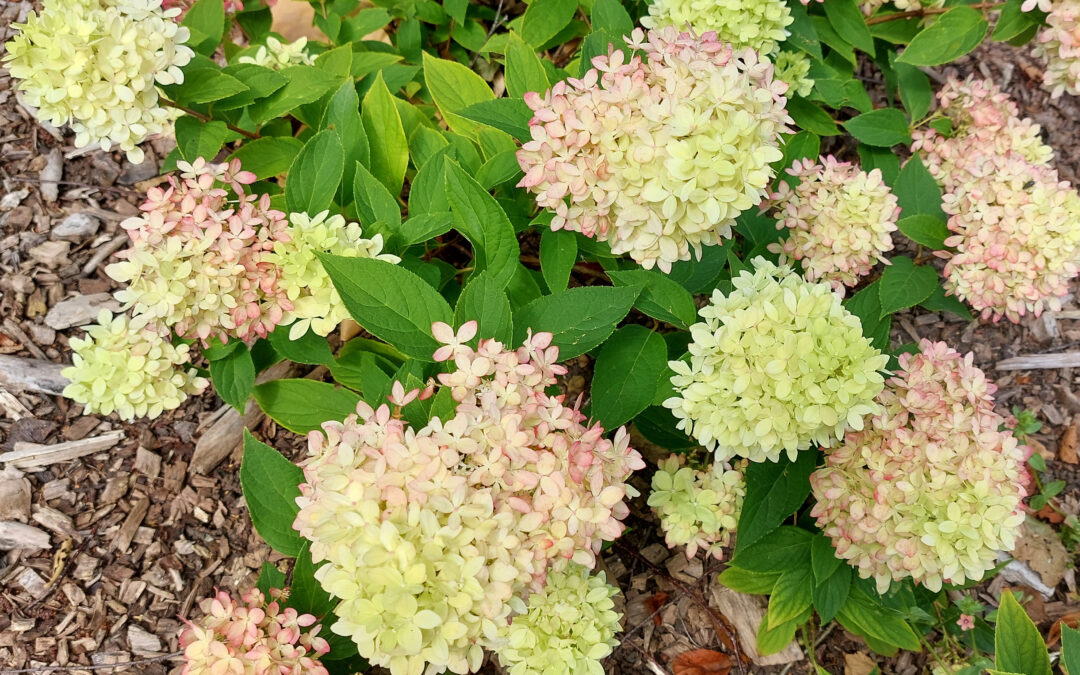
[(133, 536)]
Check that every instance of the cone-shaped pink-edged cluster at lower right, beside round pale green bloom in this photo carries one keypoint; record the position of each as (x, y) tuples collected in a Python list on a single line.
[(931, 490)]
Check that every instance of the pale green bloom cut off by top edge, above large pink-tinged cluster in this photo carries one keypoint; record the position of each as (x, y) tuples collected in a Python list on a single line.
[(761, 25)]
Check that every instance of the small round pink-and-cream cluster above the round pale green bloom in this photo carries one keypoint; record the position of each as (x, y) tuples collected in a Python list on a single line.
[(841, 221)]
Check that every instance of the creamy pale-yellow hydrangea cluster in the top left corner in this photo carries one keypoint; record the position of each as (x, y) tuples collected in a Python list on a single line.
[(96, 65)]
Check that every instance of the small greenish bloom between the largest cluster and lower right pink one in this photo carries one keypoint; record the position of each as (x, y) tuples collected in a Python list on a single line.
[(698, 509)]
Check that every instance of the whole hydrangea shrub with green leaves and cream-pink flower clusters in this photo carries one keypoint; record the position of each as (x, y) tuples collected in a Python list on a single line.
[(681, 222)]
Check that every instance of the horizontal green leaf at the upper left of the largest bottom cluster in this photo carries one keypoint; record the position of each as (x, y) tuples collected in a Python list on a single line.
[(303, 406)]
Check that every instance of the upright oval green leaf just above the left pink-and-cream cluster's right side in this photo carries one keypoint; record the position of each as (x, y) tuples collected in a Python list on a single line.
[(316, 174)]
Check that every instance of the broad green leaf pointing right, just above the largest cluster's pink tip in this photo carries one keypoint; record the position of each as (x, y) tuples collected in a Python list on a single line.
[(580, 319)]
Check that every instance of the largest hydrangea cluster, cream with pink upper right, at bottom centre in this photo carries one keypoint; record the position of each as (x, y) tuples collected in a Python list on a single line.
[(435, 536)]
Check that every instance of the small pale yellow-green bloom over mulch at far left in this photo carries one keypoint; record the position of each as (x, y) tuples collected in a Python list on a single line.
[(123, 367)]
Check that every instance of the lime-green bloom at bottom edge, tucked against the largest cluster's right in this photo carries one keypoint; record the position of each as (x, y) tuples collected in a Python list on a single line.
[(568, 629)]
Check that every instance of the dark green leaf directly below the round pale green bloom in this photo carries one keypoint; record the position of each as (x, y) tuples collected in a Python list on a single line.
[(775, 491)]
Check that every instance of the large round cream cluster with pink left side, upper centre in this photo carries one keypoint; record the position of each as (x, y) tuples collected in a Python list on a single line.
[(657, 154)]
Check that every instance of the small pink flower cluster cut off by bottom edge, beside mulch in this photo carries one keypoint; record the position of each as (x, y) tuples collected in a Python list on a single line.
[(252, 638)]
